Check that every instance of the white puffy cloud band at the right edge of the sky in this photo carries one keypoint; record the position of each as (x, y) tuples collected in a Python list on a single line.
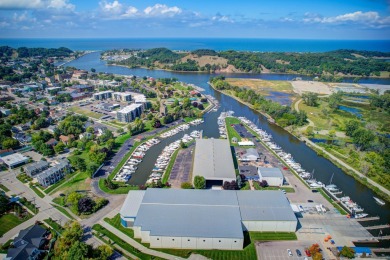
[(371, 19)]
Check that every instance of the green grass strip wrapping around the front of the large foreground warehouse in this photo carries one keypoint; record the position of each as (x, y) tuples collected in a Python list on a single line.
[(249, 251)]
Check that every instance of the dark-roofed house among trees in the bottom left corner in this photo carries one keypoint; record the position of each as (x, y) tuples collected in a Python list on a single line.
[(29, 244)]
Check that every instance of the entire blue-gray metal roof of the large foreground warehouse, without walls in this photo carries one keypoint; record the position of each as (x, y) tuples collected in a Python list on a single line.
[(203, 213)]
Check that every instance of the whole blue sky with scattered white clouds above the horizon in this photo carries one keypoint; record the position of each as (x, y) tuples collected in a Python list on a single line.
[(275, 19)]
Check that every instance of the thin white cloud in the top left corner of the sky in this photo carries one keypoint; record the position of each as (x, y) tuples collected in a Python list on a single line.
[(36, 4)]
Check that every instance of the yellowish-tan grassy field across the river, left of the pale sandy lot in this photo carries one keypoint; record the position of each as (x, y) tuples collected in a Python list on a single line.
[(262, 86)]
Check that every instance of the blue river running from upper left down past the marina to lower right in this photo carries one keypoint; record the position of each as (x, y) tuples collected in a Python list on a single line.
[(323, 168)]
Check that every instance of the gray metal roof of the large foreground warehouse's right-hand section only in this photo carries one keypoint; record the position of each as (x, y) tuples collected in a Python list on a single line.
[(271, 205)]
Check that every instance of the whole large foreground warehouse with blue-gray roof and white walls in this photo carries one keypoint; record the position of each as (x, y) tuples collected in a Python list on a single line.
[(204, 219)]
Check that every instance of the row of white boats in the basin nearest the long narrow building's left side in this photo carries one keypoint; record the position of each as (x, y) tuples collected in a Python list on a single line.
[(166, 154)]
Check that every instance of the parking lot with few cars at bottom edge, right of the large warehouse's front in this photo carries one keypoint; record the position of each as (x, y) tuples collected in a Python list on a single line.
[(278, 250)]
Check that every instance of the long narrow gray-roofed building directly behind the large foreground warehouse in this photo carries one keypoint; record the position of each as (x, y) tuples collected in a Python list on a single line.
[(213, 160)]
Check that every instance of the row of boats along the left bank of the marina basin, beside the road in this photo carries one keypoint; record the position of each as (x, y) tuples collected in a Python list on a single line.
[(136, 157)]
